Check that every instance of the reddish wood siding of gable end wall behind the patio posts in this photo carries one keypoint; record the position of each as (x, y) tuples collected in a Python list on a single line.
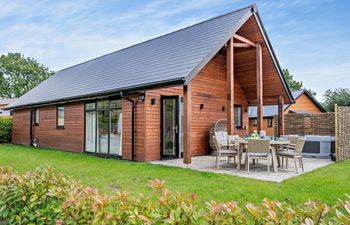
[(209, 88)]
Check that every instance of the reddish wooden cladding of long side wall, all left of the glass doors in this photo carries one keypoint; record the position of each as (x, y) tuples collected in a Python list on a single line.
[(46, 133)]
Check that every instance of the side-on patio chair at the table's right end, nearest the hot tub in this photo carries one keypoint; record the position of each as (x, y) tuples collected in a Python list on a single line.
[(294, 151)]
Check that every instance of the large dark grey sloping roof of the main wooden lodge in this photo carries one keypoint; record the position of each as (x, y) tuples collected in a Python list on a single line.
[(175, 57)]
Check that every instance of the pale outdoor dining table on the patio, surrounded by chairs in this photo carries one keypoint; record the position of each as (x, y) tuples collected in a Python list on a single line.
[(274, 146)]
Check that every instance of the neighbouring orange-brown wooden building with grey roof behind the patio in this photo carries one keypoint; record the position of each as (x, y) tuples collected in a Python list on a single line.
[(304, 103)]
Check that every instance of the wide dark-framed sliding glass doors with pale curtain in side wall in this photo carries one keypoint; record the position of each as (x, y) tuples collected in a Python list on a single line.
[(103, 127)]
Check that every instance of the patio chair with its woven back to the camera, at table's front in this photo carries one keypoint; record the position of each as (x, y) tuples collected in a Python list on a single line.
[(259, 149)]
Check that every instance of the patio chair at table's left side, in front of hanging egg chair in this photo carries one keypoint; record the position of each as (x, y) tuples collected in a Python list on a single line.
[(223, 148)]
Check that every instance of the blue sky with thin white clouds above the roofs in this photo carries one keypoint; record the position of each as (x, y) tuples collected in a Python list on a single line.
[(310, 37)]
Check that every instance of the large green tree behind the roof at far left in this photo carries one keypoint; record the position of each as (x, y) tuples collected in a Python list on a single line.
[(18, 74)]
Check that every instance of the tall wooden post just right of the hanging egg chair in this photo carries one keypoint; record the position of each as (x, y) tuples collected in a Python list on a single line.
[(230, 88)]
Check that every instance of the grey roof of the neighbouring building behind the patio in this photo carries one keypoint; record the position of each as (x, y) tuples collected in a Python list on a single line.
[(271, 110)]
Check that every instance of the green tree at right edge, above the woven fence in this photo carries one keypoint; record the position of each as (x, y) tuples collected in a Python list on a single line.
[(340, 96)]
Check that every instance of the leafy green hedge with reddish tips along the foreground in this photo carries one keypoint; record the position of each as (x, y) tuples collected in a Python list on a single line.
[(44, 197)]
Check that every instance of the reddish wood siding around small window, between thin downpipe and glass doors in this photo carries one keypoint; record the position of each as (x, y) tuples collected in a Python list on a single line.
[(71, 137)]
